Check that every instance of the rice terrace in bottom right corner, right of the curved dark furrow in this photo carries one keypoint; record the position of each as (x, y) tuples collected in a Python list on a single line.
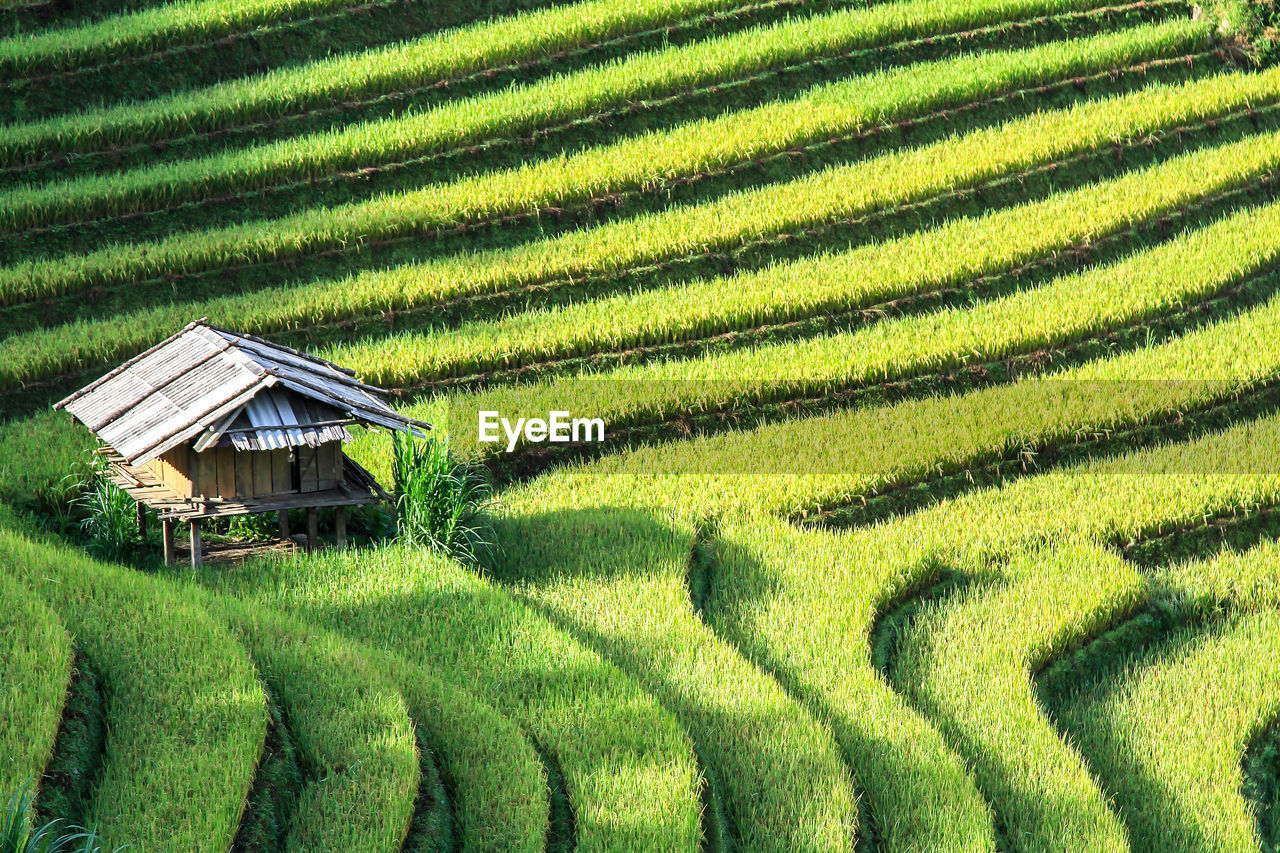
[(1168, 737)]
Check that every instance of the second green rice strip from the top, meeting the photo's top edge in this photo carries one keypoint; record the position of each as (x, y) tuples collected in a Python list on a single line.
[(344, 86)]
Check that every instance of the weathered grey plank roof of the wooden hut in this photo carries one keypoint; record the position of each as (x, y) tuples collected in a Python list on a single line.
[(204, 378)]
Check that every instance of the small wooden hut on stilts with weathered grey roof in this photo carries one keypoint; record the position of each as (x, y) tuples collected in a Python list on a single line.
[(212, 423)]
